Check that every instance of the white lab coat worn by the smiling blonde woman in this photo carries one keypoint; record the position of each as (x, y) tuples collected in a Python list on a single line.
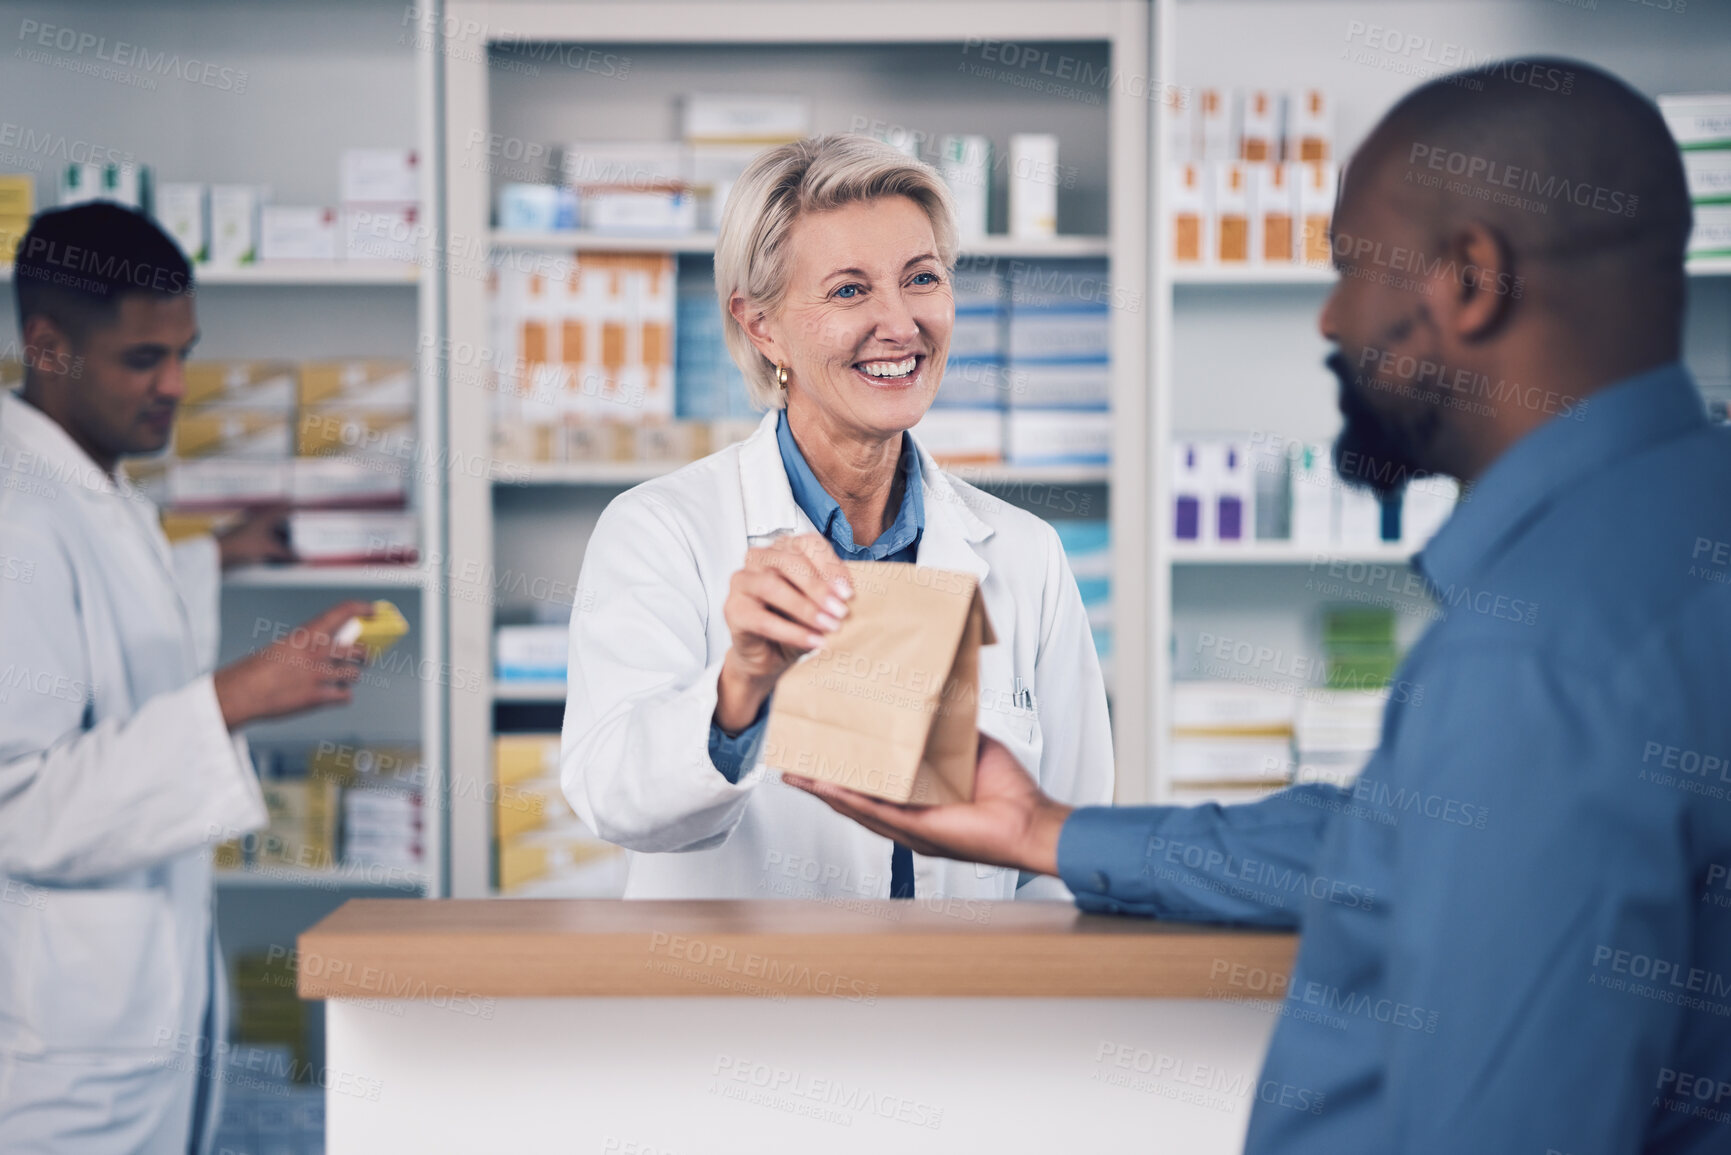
[(648, 640)]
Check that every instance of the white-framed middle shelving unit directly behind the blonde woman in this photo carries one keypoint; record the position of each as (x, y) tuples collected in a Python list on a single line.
[(904, 61)]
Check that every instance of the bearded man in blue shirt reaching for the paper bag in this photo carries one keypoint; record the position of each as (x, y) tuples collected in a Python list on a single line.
[(1517, 920)]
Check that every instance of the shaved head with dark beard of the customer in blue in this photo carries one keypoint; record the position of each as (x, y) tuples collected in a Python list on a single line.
[(1522, 223)]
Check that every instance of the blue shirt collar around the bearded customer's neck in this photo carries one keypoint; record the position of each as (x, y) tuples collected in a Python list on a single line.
[(1623, 420)]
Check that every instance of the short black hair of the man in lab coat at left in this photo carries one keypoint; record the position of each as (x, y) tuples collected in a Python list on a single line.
[(77, 264)]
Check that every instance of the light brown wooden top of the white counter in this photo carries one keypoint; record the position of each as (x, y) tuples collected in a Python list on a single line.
[(863, 950)]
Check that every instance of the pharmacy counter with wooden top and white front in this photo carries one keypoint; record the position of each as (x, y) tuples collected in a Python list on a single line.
[(780, 1026)]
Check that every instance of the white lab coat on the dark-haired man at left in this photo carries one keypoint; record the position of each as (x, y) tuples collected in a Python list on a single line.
[(117, 777)]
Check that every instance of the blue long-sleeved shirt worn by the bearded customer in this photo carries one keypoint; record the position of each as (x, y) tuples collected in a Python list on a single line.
[(1517, 922)]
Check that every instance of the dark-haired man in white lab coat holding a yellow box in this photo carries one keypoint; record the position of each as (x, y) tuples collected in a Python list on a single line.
[(119, 761)]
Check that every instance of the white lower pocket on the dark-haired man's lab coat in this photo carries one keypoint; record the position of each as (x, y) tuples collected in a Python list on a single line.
[(101, 972)]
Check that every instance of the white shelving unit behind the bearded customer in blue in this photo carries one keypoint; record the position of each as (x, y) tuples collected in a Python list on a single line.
[(1237, 351)]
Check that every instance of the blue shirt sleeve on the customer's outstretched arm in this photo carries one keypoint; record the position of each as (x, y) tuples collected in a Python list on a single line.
[(1207, 865)]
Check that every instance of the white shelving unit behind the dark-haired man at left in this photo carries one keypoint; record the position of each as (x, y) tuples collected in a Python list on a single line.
[(300, 84)]
